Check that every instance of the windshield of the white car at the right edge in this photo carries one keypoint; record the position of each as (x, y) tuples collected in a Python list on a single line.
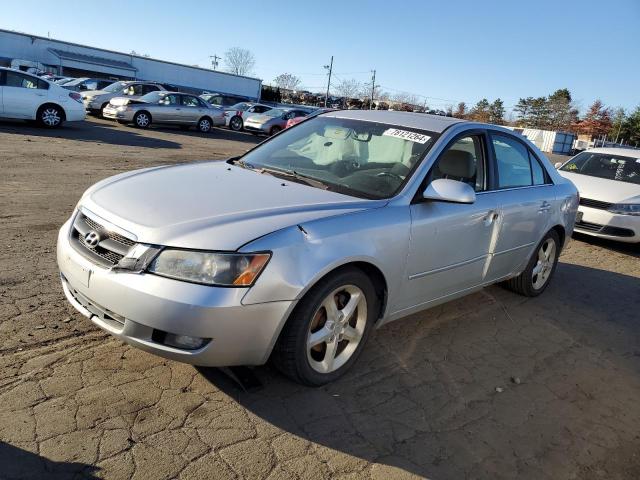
[(605, 165)]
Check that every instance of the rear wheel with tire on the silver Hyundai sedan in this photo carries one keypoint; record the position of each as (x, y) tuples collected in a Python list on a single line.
[(536, 277)]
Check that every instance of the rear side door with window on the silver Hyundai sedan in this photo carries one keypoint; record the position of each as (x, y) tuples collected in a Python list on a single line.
[(525, 201)]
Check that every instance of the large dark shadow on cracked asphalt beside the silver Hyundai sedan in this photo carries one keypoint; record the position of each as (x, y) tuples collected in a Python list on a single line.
[(488, 386)]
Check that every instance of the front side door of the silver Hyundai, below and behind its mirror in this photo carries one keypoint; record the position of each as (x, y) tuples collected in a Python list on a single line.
[(451, 243)]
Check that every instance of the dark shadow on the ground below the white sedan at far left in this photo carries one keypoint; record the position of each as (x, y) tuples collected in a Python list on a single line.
[(88, 131)]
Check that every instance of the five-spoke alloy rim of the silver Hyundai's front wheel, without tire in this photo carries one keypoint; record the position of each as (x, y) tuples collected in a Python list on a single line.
[(336, 329)]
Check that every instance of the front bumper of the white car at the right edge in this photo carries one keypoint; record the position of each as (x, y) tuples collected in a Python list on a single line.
[(604, 224)]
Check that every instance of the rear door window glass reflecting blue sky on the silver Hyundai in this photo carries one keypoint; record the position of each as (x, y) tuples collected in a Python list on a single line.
[(512, 158)]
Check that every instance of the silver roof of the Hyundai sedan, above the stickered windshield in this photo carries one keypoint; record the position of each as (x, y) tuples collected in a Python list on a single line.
[(423, 121)]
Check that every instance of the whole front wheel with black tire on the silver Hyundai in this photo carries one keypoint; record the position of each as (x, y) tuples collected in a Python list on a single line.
[(344, 334)]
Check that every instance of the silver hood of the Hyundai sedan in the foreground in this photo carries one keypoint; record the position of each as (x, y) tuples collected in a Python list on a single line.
[(210, 205)]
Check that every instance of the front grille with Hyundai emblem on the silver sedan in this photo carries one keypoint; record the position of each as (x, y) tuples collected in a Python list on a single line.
[(111, 248)]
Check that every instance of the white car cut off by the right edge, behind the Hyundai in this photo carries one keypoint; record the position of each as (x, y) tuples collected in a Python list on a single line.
[(608, 180)]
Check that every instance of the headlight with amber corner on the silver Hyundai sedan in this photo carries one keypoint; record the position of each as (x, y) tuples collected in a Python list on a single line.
[(210, 268)]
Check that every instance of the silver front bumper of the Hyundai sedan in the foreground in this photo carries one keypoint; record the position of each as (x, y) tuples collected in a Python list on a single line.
[(136, 307)]
